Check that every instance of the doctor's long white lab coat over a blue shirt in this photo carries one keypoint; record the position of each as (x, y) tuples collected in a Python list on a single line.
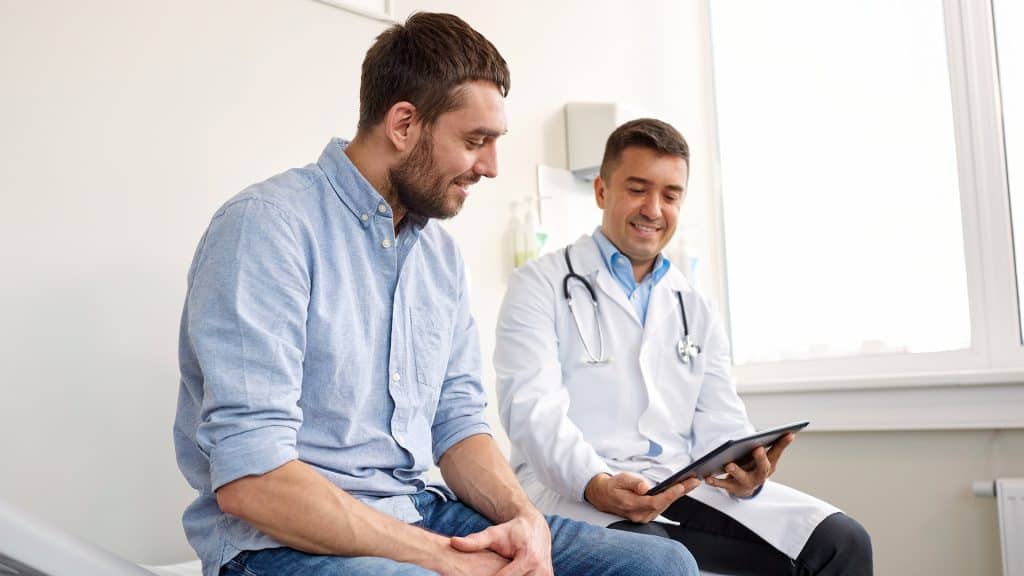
[(645, 413)]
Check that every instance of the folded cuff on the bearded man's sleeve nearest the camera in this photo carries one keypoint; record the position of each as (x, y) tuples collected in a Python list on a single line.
[(251, 454)]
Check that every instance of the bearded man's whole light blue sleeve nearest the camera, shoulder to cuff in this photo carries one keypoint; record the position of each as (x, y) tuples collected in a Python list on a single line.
[(246, 322)]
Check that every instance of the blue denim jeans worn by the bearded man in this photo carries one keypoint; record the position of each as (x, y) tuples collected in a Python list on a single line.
[(577, 549)]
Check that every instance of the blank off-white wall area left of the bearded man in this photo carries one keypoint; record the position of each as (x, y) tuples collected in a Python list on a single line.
[(125, 125)]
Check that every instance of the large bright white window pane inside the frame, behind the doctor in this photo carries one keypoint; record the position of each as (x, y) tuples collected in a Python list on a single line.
[(840, 180)]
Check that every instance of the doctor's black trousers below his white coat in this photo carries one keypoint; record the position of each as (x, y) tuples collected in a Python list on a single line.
[(839, 546)]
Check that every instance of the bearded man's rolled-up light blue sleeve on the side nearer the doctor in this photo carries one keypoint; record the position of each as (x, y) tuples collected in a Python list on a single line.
[(460, 410)]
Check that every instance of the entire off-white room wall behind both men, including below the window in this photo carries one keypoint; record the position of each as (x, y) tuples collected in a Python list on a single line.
[(125, 124)]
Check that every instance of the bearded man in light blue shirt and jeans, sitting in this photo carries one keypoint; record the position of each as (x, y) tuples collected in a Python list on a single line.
[(329, 357)]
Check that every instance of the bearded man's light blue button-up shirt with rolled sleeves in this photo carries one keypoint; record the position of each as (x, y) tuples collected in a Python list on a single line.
[(312, 333)]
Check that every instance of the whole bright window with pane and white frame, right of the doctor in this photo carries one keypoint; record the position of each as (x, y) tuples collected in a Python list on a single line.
[(865, 193)]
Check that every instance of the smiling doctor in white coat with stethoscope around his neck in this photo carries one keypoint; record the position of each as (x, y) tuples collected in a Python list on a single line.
[(613, 374)]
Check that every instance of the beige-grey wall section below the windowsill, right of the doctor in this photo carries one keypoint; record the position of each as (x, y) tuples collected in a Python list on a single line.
[(912, 490)]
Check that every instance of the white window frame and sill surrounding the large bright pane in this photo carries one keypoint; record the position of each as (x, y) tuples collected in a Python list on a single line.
[(991, 374)]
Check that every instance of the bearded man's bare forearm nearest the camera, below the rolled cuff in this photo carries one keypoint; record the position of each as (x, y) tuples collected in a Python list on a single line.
[(300, 508)]
